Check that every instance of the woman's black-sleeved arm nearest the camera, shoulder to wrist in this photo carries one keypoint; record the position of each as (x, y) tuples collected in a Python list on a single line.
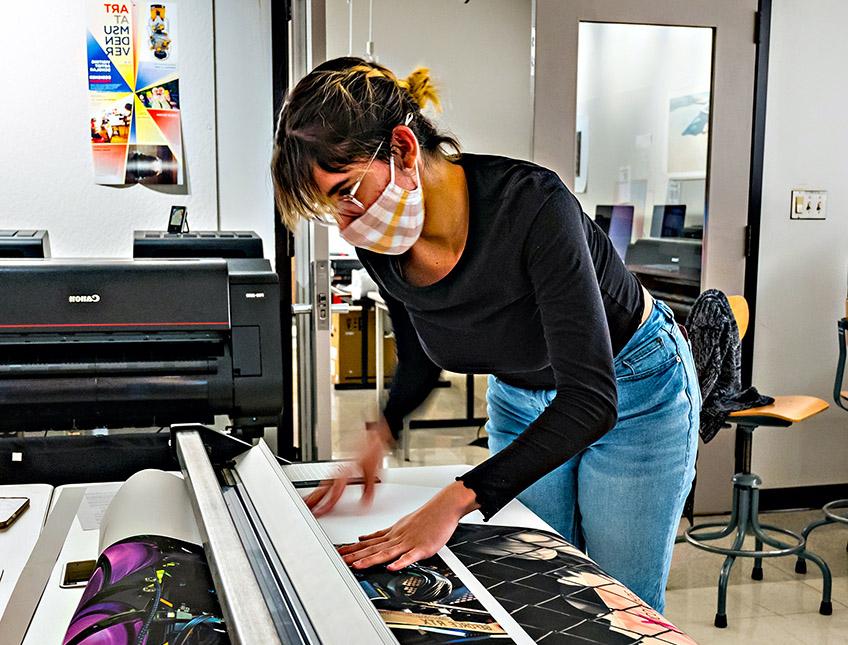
[(560, 267)]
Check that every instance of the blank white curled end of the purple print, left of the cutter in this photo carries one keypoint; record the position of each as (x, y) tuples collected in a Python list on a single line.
[(151, 502)]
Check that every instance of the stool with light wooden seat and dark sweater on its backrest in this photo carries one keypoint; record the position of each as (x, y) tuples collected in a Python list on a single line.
[(744, 515)]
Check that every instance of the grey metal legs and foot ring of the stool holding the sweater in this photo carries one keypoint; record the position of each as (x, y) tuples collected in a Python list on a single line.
[(744, 521)]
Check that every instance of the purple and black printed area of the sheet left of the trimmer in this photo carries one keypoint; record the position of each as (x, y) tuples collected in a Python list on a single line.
[(149, 589)]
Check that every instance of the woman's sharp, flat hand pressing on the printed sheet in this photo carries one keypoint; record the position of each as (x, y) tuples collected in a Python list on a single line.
[(416, 536)]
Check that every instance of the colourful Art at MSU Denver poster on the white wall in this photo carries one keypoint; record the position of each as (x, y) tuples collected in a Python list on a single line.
[(133, 83)]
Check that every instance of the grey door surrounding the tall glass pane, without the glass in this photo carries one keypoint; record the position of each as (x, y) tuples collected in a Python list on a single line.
[(735, 156)]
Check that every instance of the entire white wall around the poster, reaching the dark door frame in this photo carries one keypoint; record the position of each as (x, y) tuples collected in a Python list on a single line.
[(46, 178)]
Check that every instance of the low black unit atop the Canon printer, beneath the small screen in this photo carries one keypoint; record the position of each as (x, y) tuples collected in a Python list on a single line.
[(198, 244)]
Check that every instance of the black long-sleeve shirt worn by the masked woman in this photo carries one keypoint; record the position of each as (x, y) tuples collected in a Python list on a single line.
[(539, 298)]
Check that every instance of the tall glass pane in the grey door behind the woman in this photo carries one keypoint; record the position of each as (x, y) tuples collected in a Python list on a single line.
[(641, 148)]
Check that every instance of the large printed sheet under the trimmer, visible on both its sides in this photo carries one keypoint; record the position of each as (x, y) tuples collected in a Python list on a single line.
[(490, 584)]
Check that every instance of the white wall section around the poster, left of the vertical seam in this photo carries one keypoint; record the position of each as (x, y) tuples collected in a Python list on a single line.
[(46, 178)]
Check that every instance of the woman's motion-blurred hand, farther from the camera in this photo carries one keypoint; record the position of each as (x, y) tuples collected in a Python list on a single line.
[(378, 438)]
